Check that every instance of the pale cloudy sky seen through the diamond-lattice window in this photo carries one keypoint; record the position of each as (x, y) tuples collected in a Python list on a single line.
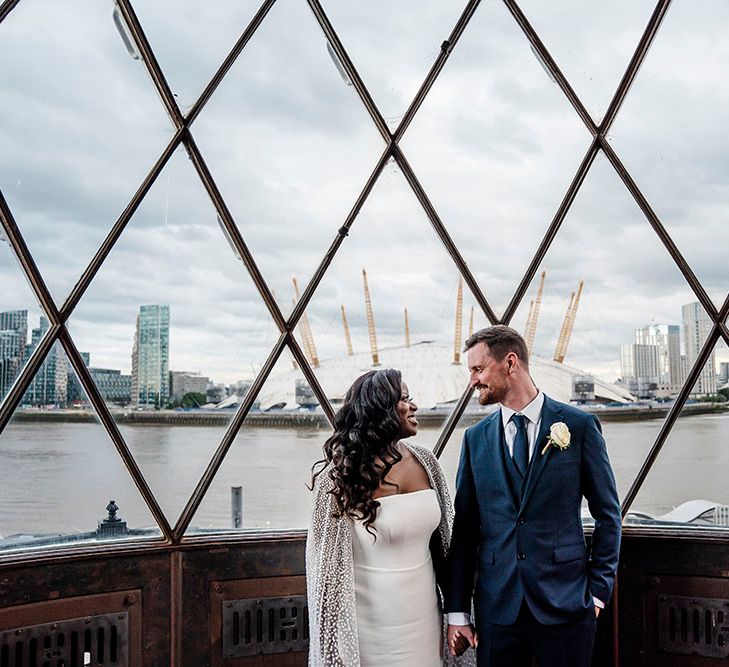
[(290, 146)]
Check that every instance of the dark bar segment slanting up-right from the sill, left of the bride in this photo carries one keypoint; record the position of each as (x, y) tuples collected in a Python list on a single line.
[(233, 427)]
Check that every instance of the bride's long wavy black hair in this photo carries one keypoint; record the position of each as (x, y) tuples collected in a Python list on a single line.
[(363, 447)]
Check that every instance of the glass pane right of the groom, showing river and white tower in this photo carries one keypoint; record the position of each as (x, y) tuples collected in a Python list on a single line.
[(687, 483)]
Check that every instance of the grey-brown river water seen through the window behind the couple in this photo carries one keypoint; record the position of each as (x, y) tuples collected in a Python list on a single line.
[(58, 477)]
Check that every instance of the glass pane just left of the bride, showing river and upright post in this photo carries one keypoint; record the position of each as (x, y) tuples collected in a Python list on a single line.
[(269, 463)]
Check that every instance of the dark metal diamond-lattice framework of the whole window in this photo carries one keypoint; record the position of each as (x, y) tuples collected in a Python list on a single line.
[(183, 136)]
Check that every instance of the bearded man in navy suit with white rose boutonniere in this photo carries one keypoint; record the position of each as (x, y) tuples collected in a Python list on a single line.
[(523, 472)]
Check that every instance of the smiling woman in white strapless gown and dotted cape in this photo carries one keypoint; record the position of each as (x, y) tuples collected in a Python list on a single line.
[(378, 537)]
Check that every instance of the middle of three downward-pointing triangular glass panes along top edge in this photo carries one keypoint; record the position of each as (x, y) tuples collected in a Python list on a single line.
[(392, 45)]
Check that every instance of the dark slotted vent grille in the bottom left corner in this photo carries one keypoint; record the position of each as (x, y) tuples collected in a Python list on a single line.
[(76, 642)]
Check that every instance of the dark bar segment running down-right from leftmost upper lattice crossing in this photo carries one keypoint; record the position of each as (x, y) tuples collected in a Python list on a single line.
[(227, 219)]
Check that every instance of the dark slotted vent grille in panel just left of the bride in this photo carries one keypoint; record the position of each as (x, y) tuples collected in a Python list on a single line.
[(265, 625)]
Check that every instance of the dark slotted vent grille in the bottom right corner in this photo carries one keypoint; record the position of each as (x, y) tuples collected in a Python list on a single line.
[(693, 626)]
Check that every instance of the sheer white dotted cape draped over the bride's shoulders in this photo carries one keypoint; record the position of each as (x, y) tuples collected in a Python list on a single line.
[(333, 640)]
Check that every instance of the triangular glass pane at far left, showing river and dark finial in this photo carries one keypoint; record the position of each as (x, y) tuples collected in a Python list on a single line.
[(55, 442)]
